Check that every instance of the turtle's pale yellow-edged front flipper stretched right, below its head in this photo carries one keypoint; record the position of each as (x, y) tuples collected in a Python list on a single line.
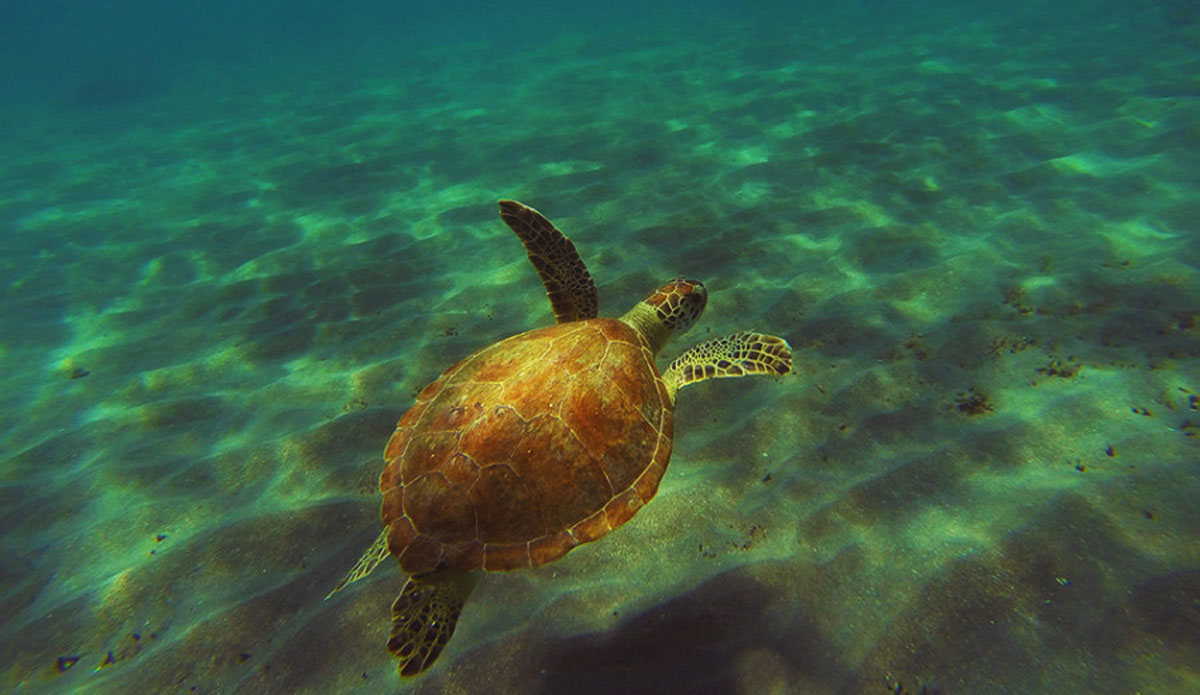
[(734, 356)]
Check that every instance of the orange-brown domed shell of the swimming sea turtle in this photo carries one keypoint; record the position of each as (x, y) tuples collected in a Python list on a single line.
[(526, 450)]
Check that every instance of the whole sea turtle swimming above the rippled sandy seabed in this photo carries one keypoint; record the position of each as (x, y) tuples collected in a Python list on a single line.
[(538, 444)]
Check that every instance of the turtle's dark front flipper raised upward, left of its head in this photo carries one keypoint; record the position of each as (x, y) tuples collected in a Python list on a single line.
[(572, 291)]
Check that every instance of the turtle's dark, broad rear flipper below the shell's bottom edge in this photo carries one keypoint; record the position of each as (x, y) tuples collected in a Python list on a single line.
[(424, 618)]
